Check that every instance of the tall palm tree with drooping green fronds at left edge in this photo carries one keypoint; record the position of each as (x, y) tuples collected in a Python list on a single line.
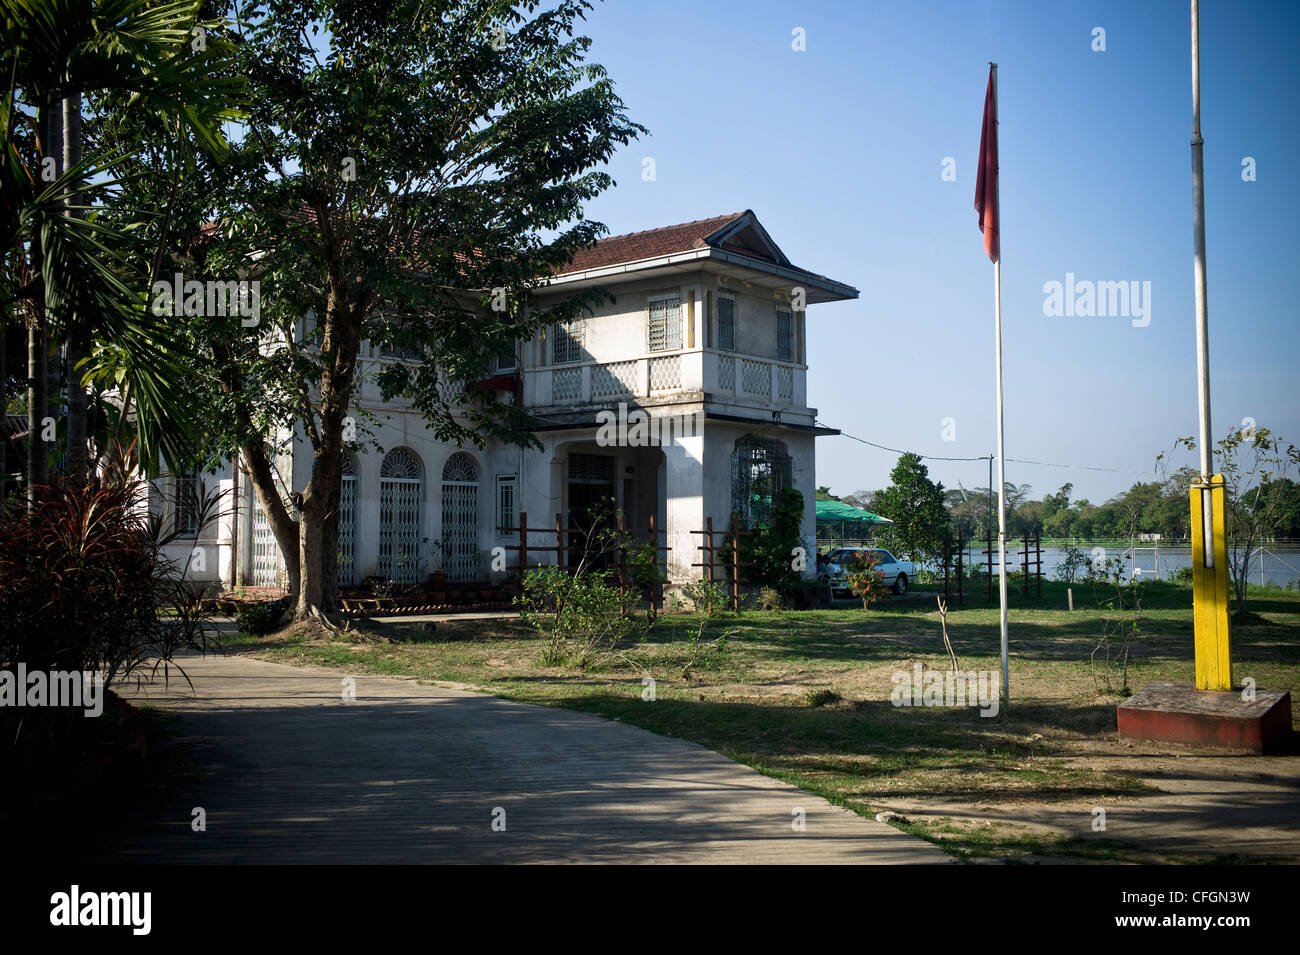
[(68, 266)]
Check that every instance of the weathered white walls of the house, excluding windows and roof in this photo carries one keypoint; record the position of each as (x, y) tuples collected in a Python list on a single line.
[(682, 484)]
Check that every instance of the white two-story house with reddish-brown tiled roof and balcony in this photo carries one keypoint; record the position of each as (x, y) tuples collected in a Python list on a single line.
[(683, 401)]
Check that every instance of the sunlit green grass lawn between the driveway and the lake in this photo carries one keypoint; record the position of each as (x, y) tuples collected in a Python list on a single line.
[(805, 697)]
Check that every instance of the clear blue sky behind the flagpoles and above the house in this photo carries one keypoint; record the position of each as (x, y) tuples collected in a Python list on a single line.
[(839, 151)]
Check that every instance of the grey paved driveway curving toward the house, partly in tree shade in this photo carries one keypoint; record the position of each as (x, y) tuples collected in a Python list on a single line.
[(288, 772)]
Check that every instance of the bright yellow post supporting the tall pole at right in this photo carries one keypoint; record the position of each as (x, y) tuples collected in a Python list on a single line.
[(1210, 591)]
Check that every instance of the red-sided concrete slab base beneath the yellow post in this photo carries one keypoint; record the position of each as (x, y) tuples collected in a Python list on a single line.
[(1181, 714)]
